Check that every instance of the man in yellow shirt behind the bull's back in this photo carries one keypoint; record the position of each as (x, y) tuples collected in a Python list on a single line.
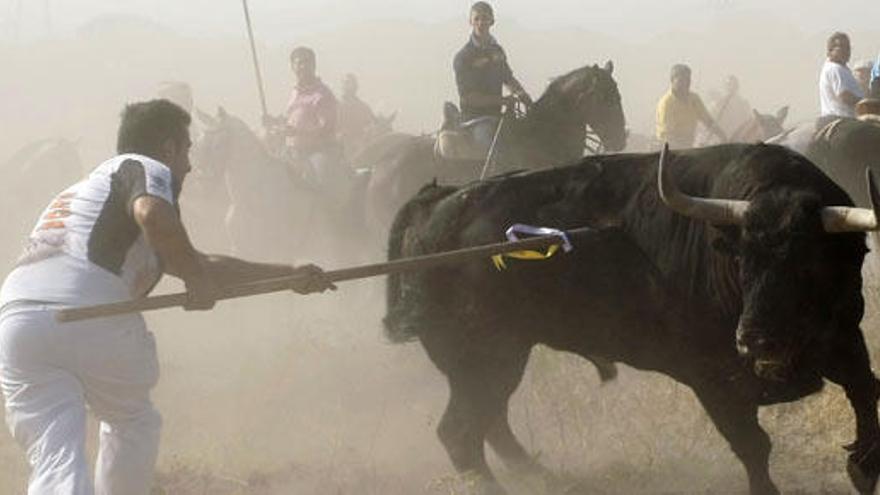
[(679, 111)]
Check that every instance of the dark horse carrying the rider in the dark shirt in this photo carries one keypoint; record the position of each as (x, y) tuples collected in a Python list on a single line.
[(552, 133)]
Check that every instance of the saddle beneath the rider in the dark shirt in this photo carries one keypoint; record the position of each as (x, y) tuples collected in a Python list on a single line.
[(455, 140)]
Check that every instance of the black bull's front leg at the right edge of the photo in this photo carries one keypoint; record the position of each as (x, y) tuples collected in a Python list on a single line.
[(849, 366)]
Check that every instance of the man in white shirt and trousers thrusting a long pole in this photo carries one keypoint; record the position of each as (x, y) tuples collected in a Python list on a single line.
[(108, 238)]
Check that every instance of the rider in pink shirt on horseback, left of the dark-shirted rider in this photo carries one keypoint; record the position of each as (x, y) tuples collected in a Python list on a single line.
[(309, 127)]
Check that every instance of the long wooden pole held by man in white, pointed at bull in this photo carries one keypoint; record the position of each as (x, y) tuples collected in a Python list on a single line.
[(284, 283)]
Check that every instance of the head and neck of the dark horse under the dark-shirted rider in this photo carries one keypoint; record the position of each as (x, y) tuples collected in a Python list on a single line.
[(591, 97)]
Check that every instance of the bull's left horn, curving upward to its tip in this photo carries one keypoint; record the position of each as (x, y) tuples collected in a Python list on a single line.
[(716, 211)]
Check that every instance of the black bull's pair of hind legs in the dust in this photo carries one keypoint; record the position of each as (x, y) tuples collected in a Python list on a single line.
[(480, 387)]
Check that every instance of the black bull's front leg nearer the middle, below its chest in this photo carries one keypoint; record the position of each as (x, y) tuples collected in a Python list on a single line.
[(737, 421)]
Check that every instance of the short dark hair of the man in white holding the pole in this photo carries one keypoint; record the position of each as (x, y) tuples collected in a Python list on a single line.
[(147, 125)]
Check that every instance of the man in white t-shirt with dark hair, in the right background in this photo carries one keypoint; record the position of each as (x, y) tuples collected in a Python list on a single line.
[(839, 90)]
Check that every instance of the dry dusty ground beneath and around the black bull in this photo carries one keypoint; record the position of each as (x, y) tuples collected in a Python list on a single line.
[(287, 394)]
